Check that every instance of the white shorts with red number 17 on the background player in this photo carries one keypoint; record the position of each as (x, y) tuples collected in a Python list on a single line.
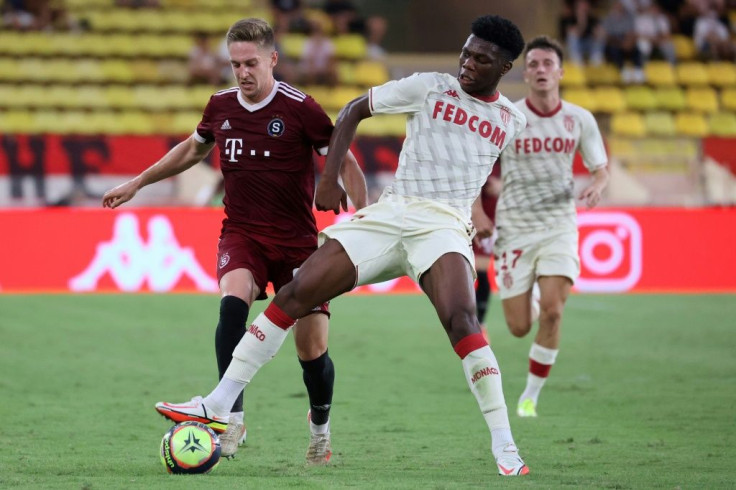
[(521, 259)]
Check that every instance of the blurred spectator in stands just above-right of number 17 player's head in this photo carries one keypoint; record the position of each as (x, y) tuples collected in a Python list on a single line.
[(582, 33)]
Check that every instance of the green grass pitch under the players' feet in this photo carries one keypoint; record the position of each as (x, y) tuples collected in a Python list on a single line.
[(642, 396)]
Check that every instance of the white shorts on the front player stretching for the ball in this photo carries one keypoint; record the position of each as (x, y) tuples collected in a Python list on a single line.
[(400, 236)]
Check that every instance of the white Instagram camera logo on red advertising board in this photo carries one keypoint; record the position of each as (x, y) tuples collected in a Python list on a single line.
[(610, 252)]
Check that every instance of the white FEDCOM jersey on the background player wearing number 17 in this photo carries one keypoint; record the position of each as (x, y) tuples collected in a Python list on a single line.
[(536, 169)]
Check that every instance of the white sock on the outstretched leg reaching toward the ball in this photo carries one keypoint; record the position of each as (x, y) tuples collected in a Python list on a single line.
[(258, 346)]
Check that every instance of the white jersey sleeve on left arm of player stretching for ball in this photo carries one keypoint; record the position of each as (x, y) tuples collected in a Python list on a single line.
[(401, 96)]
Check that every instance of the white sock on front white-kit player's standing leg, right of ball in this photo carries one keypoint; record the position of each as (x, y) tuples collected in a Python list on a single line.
[(484, 378)]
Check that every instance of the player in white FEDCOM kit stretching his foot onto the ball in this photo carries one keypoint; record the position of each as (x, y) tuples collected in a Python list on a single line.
[(421, 225)]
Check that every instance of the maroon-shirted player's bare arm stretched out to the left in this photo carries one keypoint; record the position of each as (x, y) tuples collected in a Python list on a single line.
[(178, 159)]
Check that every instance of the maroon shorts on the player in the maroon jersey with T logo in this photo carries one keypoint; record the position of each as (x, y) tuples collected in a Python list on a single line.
[(266, 261)]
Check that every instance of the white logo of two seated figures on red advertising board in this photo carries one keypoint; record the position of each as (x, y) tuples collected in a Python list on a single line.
[(131, 261)]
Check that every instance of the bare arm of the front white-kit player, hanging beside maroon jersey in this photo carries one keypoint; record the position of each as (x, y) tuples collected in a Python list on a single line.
[(330, 196)]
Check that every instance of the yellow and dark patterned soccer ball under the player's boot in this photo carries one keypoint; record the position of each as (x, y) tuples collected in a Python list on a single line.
[(190, 447)]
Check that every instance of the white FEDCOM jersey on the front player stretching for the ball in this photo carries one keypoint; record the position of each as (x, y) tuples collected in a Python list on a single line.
[(452, 138)]
